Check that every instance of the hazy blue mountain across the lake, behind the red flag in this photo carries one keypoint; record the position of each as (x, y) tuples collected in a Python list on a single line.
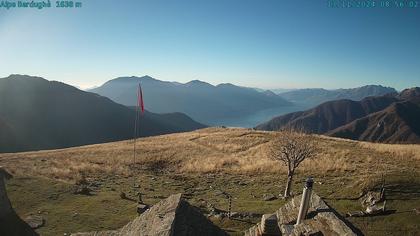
[(202, 101)]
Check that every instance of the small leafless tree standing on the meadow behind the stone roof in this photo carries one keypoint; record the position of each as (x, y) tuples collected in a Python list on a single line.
[(291, 148)]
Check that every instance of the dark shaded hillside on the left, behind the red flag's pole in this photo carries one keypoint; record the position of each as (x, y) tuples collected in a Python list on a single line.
[(39, 114)]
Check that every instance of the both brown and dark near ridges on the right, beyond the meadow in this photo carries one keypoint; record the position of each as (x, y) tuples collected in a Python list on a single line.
[(391, 118)]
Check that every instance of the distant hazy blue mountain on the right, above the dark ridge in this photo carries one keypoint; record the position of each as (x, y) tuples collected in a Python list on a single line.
[(313, 97)]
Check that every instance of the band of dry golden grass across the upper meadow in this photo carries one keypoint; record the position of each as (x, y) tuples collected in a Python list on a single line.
[(209, 150)]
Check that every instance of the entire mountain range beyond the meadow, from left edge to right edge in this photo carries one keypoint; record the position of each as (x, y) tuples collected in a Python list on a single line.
[(39, 114)]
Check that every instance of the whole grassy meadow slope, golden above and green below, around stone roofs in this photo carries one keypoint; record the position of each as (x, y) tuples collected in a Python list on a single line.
[(200, 164)]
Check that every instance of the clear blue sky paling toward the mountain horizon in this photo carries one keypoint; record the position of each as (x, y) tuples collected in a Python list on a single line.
[(260, 43)]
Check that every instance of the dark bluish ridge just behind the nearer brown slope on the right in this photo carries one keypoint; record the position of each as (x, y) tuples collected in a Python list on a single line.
[(329, 115)]
